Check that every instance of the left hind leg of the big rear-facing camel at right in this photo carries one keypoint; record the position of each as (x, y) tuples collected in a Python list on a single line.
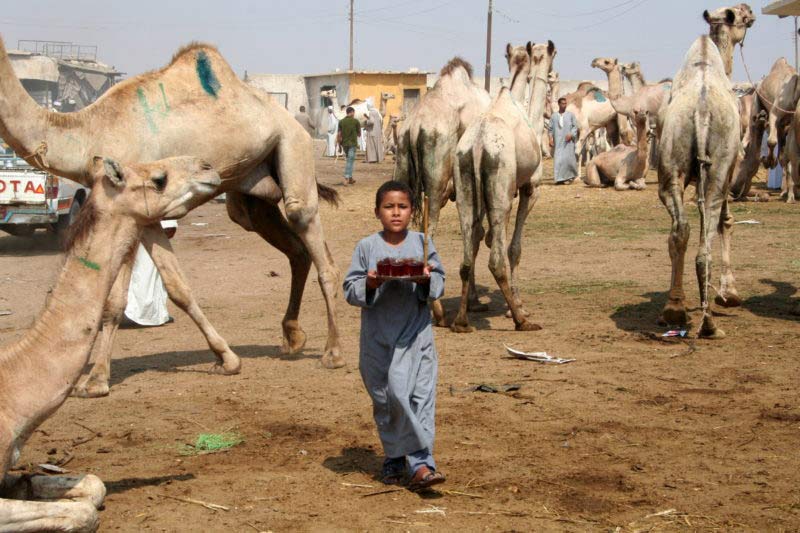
[(671, 194)]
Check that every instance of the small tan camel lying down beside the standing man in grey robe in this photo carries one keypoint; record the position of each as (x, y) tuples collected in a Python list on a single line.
[(623, 167)]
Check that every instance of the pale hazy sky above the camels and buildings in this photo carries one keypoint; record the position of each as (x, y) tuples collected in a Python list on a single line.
[(311, 36)]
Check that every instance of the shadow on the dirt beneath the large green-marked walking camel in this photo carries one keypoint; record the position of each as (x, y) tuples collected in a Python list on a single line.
[(126, 367)]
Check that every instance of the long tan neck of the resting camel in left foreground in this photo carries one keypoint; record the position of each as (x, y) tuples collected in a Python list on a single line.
[(47, 361)]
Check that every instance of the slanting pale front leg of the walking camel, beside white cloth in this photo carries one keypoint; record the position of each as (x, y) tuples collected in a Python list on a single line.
[(158, 246)]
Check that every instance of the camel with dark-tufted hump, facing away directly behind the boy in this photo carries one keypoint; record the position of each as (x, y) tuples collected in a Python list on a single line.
[(427, 143)]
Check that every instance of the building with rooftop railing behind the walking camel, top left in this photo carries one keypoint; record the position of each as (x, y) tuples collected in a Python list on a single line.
[(61, 75)]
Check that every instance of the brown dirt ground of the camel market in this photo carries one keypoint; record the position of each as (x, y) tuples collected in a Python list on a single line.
[(637, 434)]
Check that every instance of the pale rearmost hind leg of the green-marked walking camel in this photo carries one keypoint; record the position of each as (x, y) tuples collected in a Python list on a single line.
[(301, 203)]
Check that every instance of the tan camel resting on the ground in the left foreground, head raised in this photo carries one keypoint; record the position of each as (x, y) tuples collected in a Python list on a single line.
[(38, 371)]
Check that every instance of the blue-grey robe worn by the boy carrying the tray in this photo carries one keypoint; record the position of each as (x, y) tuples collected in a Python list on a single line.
[(397, 360)]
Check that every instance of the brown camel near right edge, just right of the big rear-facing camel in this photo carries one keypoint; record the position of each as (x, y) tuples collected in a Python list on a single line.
[(774, 95)]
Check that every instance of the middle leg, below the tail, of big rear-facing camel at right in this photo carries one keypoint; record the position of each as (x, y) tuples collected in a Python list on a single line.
[(710, 207)]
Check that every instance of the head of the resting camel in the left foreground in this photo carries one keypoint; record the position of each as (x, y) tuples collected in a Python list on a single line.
[(168, 188)]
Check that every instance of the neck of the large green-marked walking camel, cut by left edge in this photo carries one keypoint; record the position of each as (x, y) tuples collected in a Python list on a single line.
[(47, 140)]
